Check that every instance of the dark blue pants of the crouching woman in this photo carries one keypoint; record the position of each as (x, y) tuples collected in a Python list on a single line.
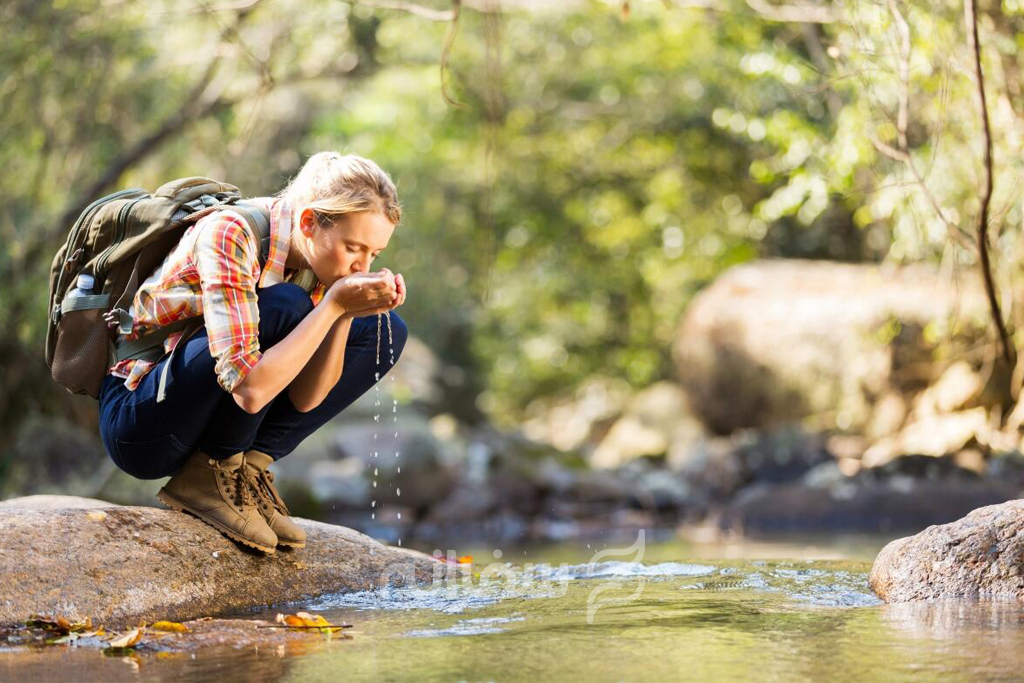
[(151, 441)]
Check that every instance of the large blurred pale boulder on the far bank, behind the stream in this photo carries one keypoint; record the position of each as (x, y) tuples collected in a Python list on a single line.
[(775, 341)]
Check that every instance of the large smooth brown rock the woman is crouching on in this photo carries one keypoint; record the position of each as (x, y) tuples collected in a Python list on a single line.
[(120, 566)]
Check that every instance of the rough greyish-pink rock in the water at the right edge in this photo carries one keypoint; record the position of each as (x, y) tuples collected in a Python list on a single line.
[(979, 556)]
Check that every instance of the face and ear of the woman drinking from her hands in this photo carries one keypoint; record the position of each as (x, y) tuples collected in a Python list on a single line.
[(349, 246)]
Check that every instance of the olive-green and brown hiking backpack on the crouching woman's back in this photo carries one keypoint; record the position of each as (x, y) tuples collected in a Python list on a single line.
[(116, 240)]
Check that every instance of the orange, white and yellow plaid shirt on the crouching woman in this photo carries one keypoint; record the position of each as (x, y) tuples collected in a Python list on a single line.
[(215, 272)]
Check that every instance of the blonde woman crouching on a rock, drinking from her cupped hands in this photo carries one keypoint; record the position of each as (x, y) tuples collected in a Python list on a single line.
[(273, 362)]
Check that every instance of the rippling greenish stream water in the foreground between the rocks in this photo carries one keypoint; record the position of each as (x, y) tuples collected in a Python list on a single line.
[(708, 620)]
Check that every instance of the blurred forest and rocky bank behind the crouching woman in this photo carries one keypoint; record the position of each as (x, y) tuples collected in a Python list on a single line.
[(710, 263)]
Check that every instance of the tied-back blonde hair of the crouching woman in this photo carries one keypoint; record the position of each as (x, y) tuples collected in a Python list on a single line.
[(333, 186)]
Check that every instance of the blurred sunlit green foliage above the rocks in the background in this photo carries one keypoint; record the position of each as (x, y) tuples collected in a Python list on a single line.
[(595, 174)]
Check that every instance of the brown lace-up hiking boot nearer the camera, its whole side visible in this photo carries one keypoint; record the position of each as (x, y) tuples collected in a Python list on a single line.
[(221, 493)]
